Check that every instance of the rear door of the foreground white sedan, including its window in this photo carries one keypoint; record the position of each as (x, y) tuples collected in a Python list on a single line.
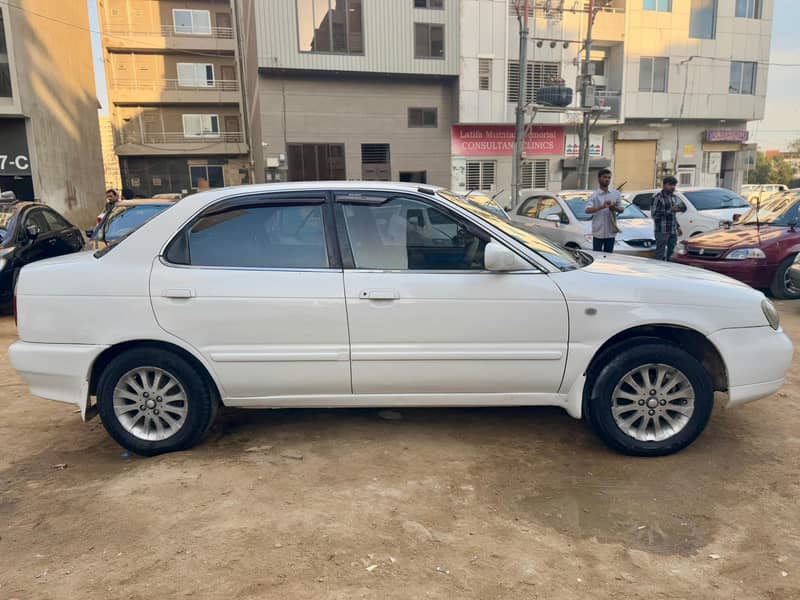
[(255, 284)]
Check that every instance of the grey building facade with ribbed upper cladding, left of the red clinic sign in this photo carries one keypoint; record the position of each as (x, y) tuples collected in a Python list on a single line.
[(358, 89)]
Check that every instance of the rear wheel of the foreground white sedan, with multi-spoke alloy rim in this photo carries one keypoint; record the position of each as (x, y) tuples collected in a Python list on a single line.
[(153, 401)]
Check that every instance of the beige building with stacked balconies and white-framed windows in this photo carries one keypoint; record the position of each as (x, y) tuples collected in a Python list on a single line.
[(178, 72)]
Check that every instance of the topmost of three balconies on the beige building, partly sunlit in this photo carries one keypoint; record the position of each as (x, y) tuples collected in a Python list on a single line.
[(219, 39)]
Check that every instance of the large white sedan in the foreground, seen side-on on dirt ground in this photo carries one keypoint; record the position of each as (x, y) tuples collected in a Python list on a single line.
[(377, 294)]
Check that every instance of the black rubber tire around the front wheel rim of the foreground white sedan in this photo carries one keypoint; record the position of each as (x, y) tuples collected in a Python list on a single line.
[(621, 360)]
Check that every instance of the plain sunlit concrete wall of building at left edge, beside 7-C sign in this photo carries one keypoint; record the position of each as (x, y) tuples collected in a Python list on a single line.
[(49, 136)]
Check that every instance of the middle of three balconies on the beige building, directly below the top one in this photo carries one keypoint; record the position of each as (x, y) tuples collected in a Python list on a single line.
[(173, 91)]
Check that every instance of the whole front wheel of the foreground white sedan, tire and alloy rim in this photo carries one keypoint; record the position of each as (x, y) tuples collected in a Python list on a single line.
[(650, 399)]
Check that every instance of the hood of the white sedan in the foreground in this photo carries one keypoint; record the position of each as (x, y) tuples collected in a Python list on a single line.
[(625, 279)]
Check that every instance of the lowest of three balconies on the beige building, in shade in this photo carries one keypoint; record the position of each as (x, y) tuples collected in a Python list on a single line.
[(134, 143)]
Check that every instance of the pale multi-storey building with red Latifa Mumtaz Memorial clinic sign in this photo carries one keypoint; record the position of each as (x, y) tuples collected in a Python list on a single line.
[(680, 78)]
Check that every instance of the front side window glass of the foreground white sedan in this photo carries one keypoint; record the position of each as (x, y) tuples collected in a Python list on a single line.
[(405, 234)]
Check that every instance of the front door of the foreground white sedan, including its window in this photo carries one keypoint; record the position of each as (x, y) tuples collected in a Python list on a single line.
[(425, 317)]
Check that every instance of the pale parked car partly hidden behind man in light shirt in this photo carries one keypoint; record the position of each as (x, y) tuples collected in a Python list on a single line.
[(562, 219)]
